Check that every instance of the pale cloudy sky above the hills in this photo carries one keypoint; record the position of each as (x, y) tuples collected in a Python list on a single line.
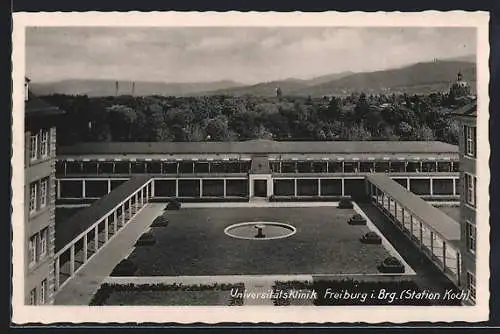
[(246, 55)]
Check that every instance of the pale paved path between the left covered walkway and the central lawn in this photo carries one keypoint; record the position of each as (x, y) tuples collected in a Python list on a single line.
[(81, 288)]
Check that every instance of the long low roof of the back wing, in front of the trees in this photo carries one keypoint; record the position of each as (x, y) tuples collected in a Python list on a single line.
[(259, 147)]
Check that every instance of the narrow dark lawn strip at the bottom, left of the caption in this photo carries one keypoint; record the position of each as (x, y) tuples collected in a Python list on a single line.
[(188, 298)]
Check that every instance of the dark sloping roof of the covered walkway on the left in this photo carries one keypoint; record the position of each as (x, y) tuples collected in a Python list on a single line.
[(83, 219)]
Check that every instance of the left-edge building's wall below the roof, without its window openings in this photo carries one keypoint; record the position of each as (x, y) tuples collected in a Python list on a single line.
[(42, 218)]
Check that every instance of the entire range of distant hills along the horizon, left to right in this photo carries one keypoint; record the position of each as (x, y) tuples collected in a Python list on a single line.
[(420, 78)]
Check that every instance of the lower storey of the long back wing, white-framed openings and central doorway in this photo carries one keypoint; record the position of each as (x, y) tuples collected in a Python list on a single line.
[(244, 186)]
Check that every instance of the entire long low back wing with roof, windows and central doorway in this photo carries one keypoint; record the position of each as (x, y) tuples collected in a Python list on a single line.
[(259, 168)]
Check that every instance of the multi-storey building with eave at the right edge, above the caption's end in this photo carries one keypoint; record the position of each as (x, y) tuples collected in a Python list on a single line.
[(468, 155)]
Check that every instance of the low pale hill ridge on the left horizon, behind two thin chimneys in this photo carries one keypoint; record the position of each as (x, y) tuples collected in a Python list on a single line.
[(94, 88)]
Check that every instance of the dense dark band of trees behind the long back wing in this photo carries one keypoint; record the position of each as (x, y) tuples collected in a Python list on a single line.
[(229, 118)]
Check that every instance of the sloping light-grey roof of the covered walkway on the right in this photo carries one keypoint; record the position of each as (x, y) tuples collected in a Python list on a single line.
[(436, 219)]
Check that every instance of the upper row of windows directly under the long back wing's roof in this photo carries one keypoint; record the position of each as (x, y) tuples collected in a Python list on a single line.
[(189, 167)]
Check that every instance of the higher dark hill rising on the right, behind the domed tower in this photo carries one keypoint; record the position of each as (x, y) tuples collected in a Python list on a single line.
[(417, 78)]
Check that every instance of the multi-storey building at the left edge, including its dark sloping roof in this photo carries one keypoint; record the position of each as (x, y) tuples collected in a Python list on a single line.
[(39, 220)]
